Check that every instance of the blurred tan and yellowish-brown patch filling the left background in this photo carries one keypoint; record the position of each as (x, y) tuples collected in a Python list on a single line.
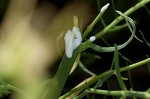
[(32, 35)]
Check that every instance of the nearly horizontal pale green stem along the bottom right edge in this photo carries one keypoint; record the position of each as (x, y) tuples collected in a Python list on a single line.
[(138, 94)]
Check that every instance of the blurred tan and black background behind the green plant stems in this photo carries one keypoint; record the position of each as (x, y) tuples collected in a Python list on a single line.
[(33, 31)]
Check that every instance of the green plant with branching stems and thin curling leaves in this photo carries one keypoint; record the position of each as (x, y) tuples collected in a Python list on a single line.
[(53, 87)]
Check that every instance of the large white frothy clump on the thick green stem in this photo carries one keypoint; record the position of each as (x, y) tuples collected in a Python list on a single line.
[(72, 40)]
